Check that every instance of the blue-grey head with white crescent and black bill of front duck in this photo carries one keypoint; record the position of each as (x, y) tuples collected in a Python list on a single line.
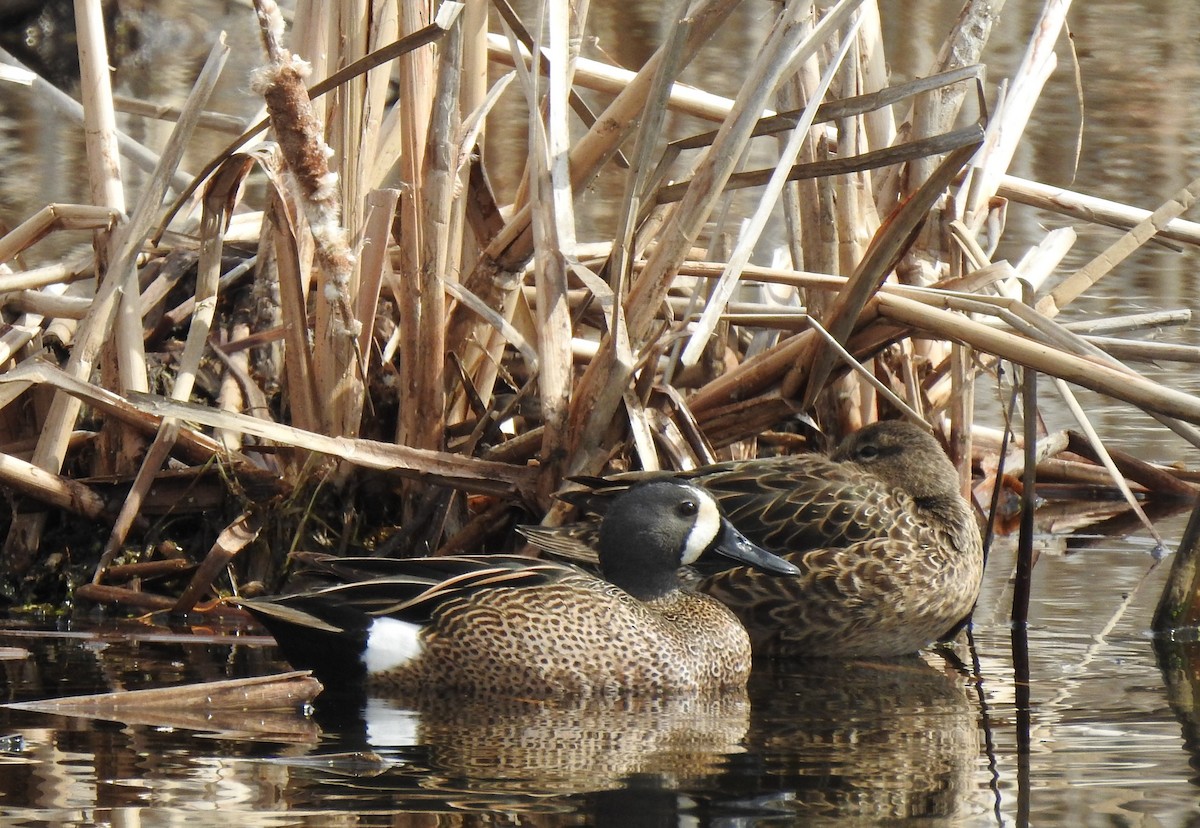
[(657, 527)]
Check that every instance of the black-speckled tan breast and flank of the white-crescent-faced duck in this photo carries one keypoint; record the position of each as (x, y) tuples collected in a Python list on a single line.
[(579, 637)]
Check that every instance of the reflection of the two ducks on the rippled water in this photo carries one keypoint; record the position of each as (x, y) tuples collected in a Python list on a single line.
[(866, 741)]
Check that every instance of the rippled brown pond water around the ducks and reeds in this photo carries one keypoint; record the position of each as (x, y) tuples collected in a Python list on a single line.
[(1101, 735)]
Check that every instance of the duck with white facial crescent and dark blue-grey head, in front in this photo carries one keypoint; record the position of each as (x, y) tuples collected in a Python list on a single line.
[(503, 626)]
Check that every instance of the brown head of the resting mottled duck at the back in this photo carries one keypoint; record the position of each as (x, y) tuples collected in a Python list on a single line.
[(904, 457)]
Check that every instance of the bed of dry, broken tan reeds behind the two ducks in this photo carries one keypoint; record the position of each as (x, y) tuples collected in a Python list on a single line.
[(374, 352)]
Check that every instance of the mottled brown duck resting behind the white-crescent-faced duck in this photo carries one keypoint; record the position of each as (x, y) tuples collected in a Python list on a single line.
[(890, 550)]
